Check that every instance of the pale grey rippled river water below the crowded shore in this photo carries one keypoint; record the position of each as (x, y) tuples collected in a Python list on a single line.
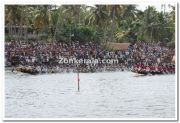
[(102, 95)]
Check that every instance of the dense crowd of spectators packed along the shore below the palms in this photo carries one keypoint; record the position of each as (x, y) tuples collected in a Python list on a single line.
[(45, 57)]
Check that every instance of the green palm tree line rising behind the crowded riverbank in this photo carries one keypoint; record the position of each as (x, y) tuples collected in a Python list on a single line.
[(99, 23)]
